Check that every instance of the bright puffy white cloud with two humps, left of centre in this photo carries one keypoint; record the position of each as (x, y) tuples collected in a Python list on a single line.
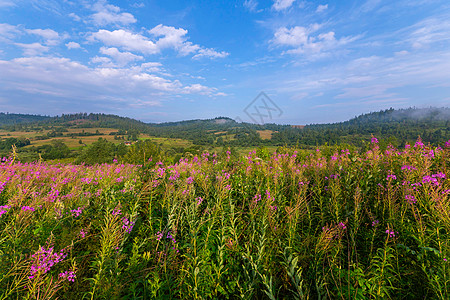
[(164, 37)]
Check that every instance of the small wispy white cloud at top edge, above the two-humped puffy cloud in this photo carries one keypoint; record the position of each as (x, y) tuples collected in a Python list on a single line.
[(110, 14)]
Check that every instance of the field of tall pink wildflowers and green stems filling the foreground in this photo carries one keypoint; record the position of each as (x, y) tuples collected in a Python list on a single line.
[(287, 225)]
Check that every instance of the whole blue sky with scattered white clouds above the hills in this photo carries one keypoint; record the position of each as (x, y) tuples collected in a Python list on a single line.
[(158, 61)]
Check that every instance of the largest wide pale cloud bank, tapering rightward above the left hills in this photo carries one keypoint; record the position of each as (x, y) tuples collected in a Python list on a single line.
[(71, 79)]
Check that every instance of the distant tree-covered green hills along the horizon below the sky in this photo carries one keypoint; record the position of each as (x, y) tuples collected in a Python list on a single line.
[(397, 127)]
